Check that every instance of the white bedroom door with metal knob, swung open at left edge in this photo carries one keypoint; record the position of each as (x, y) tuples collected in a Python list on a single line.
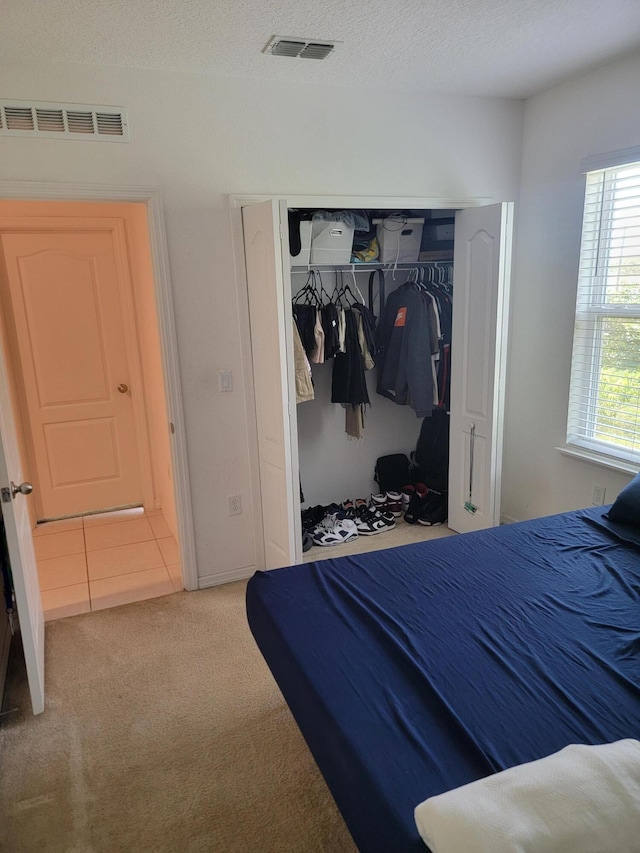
[(17, 524)]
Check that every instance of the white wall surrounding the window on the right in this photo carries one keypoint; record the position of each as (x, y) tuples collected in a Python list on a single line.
[(595, 113)]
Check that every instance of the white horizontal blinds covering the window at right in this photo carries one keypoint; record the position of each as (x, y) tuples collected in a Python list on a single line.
[(604, 400)]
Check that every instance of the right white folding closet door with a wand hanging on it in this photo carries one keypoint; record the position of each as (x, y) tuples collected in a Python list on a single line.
[(482, 259)]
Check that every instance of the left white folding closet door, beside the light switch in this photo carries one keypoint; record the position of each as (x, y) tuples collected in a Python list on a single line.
[(271, 349)]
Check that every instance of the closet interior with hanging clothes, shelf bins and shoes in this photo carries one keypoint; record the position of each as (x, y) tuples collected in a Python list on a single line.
[(387, 276)]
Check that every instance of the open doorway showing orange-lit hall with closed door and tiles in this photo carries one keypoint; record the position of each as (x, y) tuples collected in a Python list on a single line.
[(82, 345)]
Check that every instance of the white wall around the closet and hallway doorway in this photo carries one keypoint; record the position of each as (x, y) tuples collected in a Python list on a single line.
[(200, 138)]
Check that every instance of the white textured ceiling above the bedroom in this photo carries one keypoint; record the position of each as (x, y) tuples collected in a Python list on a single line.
[(477, 47)]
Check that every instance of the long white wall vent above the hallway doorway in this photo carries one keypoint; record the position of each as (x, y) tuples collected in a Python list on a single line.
[(63, 121)]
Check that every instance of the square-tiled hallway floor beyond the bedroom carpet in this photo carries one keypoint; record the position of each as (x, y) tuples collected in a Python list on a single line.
[(103, 560)]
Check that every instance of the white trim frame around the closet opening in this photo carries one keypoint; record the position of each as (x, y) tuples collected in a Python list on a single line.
[(236, 202)]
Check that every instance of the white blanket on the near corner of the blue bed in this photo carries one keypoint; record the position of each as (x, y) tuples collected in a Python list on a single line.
[(583, 799)]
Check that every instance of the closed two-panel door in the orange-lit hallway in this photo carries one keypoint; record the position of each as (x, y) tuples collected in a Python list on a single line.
[(66, 290)]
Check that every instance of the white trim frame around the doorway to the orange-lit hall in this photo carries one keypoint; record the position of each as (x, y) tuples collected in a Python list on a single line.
[(151, 197)]
